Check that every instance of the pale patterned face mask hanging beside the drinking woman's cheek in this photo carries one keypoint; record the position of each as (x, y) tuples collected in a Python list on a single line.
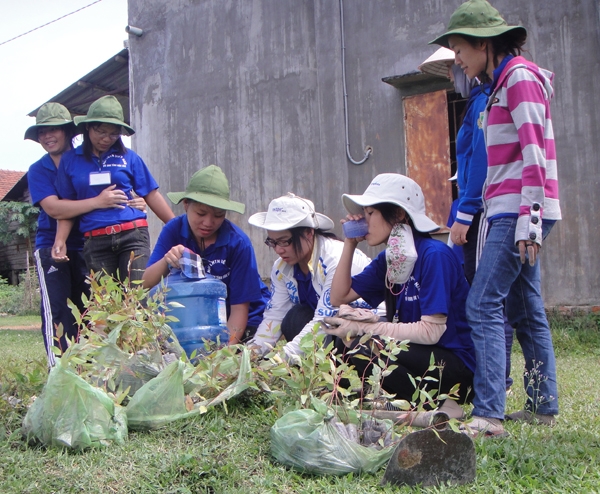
[(400, 255)]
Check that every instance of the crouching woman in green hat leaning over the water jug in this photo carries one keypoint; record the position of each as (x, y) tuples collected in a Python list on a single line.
[(226, 250)]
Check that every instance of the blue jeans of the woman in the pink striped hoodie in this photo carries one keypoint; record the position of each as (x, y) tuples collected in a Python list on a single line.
[(500, 275)]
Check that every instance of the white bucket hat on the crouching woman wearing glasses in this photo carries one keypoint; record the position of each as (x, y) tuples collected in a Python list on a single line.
[(290, 211)]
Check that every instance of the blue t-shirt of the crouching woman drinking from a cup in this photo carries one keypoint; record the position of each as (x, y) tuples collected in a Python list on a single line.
[(436, 286)]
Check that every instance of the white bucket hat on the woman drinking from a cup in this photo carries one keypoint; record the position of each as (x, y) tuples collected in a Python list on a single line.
[(395, 189)]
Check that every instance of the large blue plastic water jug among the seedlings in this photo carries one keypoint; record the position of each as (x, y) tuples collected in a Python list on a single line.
[(204, 313)]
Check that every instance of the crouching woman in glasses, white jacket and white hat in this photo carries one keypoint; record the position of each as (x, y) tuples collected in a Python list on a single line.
[(301, 277)]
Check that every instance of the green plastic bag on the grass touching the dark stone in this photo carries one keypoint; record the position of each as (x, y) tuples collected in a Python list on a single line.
[(317, 443)]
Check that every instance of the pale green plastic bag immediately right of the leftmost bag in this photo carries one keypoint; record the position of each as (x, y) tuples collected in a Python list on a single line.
[(160, 401)]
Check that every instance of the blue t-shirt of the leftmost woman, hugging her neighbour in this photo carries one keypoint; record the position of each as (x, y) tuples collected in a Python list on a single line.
[(41, 179)]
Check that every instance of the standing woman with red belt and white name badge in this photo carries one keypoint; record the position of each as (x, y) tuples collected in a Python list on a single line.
[(101, 161)]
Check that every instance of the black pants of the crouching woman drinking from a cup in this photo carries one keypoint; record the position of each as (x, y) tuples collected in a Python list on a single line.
[(415, 363)]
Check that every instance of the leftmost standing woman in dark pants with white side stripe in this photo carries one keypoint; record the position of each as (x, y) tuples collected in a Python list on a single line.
[(60, 281)]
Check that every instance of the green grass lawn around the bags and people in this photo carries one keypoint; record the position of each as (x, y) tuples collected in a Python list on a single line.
[(230, 452)]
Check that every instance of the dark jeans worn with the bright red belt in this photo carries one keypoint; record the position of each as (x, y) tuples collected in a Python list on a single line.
[(112, 253)]
